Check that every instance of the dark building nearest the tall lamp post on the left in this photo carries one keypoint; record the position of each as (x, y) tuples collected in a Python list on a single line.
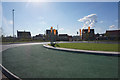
[(23, 35)]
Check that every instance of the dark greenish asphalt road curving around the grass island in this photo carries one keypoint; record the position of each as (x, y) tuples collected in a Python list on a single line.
[(35, 61)]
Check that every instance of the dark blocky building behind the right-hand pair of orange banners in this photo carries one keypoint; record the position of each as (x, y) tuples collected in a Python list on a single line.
[(88, 36)]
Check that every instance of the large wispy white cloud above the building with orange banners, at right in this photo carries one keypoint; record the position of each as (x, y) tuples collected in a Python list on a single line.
[(89, 20)]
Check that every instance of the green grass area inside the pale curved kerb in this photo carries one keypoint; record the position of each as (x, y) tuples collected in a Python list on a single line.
[(90, 46)]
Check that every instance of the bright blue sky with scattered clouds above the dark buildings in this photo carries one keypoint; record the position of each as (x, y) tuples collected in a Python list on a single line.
[(36, 17)]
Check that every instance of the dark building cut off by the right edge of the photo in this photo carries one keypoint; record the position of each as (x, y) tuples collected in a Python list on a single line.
[(113, 34)]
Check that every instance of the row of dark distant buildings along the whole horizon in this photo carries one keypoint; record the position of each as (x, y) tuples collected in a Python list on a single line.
[(26, 35)]
